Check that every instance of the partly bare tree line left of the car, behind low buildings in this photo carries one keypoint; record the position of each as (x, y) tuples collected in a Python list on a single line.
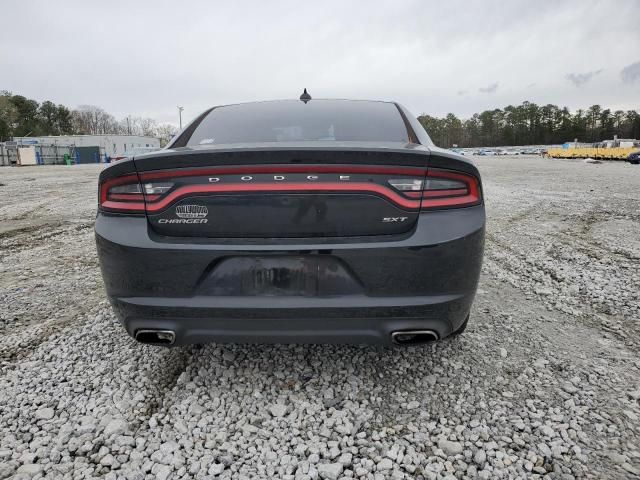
[(21, 117)]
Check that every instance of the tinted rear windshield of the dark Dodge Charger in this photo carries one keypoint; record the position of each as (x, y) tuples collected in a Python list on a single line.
[(295, 121)]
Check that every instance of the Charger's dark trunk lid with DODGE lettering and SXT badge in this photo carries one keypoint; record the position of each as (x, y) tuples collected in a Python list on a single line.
[(288, 191)]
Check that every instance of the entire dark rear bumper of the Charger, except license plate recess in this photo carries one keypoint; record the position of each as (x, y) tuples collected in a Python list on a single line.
[(424, 280)]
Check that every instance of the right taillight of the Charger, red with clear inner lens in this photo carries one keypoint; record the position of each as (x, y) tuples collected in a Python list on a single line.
[(441, 189)]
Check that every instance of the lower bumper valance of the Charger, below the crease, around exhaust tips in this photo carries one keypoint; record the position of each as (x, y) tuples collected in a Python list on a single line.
[(292, 319)]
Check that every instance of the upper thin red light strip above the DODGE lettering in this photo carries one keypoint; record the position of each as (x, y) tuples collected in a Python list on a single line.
[(152, 175)]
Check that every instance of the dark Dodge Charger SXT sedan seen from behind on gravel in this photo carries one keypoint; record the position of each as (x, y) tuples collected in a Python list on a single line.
[(313, 221)]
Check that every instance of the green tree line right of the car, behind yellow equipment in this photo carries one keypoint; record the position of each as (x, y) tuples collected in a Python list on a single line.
[(530, 124)]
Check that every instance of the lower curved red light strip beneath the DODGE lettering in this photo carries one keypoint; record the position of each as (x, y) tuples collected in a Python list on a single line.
[(291, 187)]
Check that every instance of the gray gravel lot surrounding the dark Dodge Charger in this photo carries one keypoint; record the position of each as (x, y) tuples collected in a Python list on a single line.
[(544, 382)]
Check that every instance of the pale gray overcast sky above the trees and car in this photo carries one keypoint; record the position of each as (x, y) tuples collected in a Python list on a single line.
[(145, 58)]
